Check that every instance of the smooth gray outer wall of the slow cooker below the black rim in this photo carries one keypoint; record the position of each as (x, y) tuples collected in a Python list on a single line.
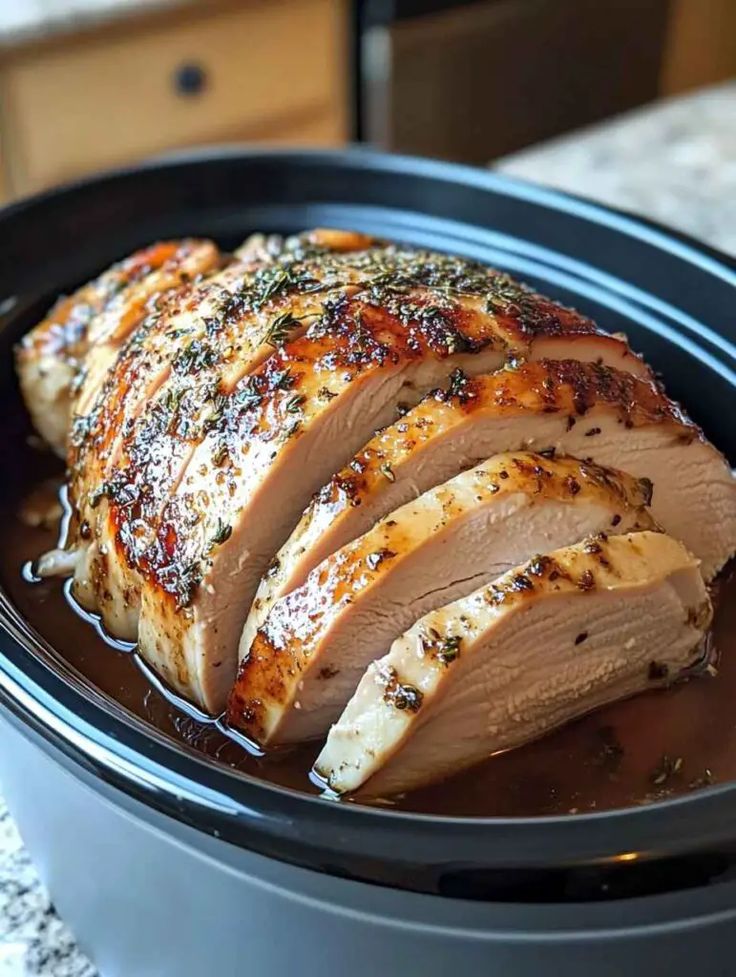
[(150, 897)]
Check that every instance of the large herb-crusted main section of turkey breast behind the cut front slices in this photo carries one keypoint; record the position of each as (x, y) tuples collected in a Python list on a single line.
[(295, 367)]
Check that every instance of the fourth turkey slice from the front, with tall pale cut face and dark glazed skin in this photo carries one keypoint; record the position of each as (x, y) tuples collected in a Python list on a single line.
[(288, 428)]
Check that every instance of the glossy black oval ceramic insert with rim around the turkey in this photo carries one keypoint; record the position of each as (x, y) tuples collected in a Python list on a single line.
[(675, 300)]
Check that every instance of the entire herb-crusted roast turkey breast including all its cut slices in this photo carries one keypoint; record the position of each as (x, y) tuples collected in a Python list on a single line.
[(291, 453)]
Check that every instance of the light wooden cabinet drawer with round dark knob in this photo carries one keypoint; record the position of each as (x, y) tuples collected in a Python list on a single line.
[(265, 70)]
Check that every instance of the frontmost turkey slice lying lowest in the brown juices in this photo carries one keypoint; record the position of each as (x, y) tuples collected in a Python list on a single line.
[(551, 640)]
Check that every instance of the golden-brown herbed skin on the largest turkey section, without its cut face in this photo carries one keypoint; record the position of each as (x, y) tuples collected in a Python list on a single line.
[(190, 375)]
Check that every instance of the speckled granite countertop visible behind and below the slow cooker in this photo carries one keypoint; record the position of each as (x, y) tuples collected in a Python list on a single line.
[(675, 162)]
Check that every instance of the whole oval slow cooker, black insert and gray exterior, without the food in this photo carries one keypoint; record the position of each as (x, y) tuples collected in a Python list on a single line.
[(164, 863)]
